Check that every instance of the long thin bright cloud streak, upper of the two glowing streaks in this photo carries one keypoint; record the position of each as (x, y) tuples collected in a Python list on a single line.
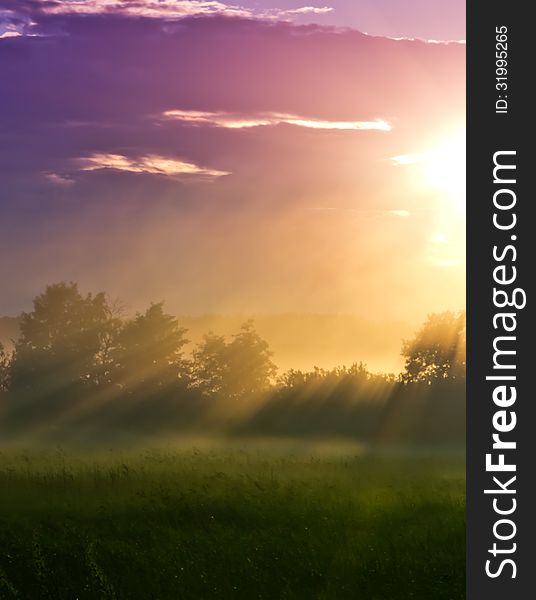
[(233, 121)]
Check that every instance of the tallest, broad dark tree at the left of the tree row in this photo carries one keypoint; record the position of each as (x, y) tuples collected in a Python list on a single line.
[(61, 341)]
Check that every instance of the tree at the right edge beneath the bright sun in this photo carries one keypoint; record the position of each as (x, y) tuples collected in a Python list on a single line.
[(437, 351)]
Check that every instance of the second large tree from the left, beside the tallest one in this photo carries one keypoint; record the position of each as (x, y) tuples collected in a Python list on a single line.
[(148, 352)]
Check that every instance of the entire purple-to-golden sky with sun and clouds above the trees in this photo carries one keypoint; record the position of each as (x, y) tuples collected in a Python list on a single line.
[(253, 157)]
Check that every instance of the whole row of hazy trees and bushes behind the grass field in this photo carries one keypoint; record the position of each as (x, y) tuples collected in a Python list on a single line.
[(79, 362)]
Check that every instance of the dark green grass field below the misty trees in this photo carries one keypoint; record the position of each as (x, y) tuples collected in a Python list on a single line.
[(274, 522)]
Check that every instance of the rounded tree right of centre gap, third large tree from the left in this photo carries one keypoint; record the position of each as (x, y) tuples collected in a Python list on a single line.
[(241, 369)]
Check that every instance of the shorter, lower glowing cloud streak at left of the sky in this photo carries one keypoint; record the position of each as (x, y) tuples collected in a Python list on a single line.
[(153, 164)]
